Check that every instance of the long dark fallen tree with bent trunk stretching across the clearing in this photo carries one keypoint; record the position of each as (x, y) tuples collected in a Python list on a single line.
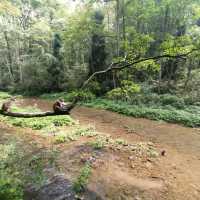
[(112, 67)]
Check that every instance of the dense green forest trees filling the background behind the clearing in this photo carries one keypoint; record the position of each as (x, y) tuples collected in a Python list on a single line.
[(54, 45)]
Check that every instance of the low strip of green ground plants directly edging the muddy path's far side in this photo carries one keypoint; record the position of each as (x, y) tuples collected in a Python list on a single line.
[(185, 117)]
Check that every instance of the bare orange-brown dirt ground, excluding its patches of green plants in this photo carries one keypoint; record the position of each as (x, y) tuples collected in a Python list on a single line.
[(121, 175)]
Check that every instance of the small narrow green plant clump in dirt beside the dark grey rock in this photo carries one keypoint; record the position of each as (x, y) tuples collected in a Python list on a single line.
[(82, 180)]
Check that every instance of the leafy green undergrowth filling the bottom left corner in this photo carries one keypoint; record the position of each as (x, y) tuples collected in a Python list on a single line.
[(16, 172)]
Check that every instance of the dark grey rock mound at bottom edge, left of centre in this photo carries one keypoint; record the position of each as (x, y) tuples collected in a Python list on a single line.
[(57, 188)]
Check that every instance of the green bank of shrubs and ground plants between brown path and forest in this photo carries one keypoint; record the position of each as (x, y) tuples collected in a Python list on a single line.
[(166, 107)]
